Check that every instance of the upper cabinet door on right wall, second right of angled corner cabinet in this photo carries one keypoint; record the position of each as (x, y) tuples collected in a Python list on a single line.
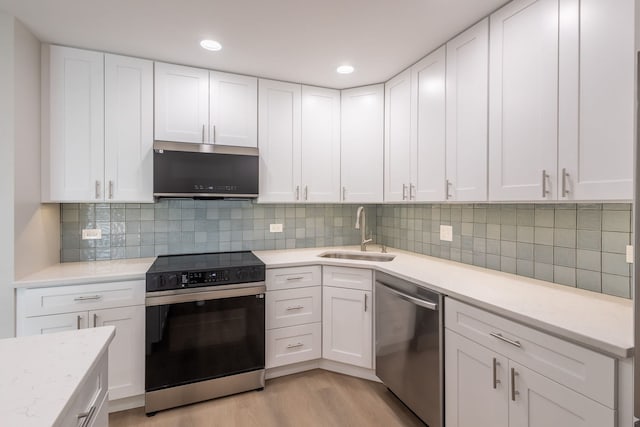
[(428, 128)]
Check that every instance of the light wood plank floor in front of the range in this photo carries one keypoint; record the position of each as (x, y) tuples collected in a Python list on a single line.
[(313, 398)]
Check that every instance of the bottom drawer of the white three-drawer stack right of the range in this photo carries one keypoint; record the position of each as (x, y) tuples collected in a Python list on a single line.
[(294, 344)]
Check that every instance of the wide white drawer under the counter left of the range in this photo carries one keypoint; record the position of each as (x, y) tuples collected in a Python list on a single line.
[(65, 299)]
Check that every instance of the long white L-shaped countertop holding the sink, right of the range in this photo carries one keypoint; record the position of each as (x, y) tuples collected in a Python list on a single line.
[(600, 322)]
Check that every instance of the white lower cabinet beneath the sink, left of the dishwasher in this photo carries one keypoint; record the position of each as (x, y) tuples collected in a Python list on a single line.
[(347, 316)]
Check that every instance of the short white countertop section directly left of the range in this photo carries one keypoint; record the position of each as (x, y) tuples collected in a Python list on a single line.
[(78, 273)]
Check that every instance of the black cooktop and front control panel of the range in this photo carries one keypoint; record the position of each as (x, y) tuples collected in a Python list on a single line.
[(170, 272)]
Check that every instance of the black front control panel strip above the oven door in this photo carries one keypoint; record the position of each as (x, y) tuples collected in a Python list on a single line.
[(193, 279)]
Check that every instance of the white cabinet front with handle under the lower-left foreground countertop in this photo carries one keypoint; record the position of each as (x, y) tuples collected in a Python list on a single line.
[(88, 398)]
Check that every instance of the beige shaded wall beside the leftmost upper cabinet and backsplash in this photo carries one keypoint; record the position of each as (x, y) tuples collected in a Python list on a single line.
[(37, 226)]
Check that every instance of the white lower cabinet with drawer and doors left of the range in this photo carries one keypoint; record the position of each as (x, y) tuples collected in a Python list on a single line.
[(121, 304)]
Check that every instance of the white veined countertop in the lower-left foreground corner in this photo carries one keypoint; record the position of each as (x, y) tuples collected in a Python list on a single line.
[(39, 374)]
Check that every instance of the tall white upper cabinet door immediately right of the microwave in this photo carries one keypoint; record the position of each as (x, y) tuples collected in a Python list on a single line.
[(279, 141)]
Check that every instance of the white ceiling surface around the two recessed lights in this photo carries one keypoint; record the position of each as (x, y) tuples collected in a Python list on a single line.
[(294, 40)]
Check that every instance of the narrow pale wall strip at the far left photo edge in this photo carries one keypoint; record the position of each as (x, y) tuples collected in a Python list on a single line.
[(7, 305)]
